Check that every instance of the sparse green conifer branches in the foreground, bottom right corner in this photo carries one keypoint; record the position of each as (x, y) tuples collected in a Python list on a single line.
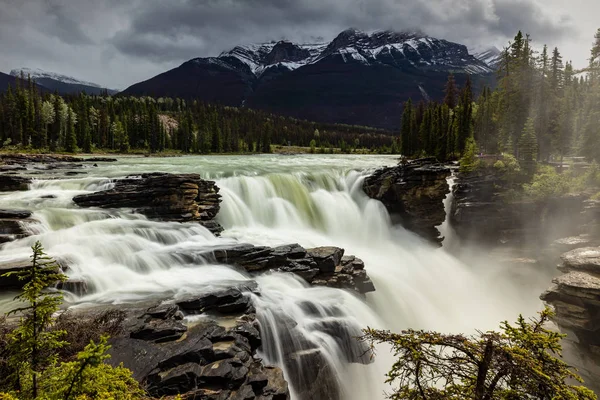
[(522, 361)]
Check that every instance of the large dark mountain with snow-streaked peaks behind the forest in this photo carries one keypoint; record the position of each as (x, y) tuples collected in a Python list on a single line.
[(358, 78)]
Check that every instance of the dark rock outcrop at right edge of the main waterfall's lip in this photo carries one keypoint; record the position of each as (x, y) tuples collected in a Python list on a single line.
[(413, 193)]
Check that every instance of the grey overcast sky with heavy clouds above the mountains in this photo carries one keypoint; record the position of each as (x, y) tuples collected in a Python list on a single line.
[(120, 42)]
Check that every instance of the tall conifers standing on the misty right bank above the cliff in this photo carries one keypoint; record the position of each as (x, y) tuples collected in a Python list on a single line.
[(541, 108)]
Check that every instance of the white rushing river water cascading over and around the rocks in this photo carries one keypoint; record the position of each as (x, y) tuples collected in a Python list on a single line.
[(273, 200)]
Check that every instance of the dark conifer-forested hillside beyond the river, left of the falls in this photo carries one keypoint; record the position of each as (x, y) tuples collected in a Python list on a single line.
[(31, 119)]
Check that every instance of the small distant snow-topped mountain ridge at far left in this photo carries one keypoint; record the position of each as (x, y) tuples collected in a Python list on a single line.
[(62, 83)]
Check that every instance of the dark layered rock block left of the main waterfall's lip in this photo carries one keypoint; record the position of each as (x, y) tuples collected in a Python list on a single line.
[(163, 197)]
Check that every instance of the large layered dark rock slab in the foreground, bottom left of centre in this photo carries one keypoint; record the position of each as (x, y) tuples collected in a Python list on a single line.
[(207, 359)]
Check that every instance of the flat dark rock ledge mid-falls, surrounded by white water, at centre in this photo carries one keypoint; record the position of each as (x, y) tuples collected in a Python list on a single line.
[(322, 266)]
